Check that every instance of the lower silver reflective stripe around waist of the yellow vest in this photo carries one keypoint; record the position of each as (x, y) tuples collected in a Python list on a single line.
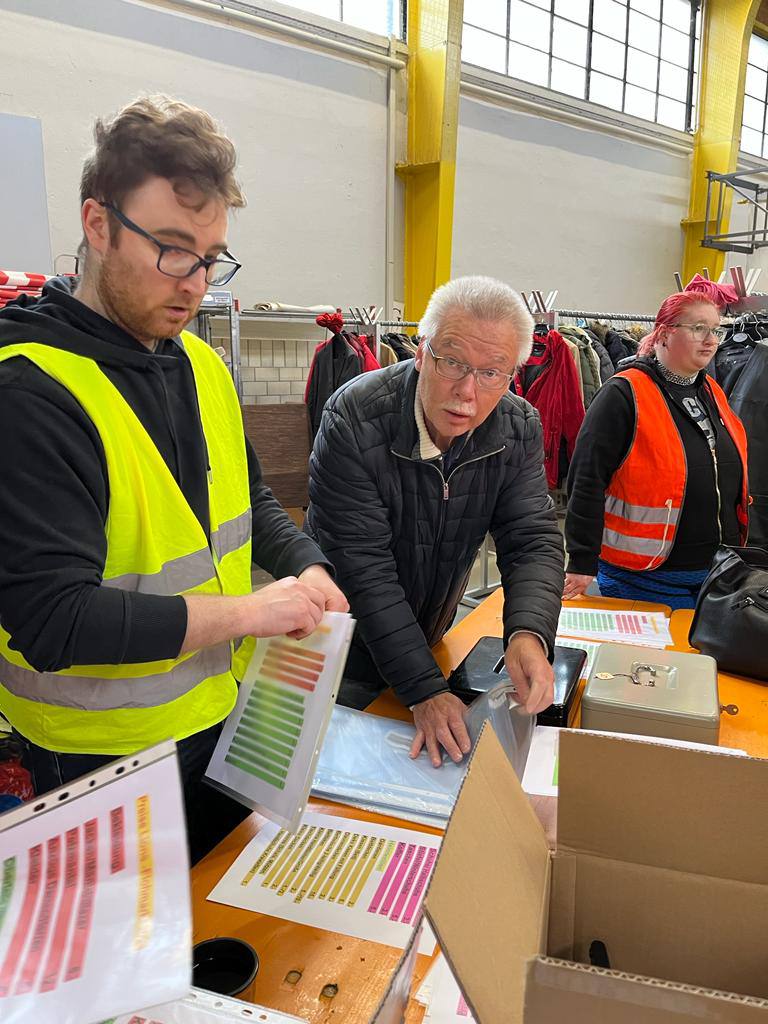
[(93, 694)]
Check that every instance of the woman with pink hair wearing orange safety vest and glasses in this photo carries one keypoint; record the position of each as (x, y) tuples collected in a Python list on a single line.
[(659, 476)]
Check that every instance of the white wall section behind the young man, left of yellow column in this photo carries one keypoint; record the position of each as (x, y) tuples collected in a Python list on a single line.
[(311, 131)]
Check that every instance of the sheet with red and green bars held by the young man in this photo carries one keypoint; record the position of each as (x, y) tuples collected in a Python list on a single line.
[(271, 742)]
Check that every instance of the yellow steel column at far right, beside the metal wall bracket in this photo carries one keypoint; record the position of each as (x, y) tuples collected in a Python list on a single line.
[(726, 39)]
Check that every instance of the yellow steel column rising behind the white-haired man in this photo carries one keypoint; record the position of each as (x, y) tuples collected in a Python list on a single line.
[(435, 30)]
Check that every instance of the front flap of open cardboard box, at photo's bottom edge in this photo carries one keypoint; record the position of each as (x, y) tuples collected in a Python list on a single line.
[(560, 992)]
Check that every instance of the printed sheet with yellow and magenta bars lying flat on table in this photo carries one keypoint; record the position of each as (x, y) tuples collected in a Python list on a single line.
[(353, 877)]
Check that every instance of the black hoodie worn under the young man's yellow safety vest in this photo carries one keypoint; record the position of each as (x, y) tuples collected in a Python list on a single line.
[(55, 494)]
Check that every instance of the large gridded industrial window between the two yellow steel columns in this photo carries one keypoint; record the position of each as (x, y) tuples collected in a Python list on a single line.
[(638, 57)]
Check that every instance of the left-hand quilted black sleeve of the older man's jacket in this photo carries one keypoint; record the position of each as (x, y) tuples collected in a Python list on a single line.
[(353, 528)]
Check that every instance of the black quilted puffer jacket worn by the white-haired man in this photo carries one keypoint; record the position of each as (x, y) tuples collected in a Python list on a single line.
[(404, 539)]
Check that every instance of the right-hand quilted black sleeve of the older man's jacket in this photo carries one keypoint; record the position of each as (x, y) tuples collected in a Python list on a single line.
[(529, 545)]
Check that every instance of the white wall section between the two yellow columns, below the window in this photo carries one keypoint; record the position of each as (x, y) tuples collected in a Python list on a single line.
[(548, 205)]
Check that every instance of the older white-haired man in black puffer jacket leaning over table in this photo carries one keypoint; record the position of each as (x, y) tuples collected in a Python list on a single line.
[(412, 467)]
